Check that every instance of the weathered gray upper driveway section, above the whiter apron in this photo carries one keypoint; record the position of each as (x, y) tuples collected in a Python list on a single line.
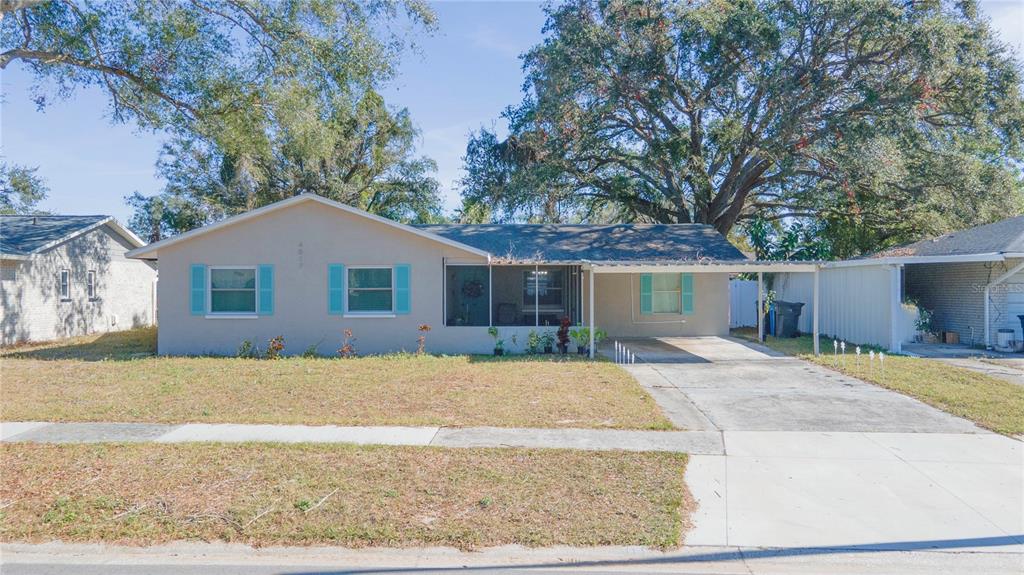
[(737, 386)]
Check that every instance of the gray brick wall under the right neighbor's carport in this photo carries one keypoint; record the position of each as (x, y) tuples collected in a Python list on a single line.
[(956, 294)]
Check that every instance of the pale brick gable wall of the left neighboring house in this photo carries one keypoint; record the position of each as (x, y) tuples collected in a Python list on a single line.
[(31, 308)]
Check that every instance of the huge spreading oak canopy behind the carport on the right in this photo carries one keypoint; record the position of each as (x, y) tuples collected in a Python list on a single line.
[(880, 120)]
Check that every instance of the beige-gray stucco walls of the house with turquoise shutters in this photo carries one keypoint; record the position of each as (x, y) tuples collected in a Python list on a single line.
[(301, 241)]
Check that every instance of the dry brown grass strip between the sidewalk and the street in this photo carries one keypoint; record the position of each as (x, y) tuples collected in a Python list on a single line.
[(345, 496)]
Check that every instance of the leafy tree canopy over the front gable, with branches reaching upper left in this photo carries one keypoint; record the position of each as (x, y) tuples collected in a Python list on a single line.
[(262, 100)]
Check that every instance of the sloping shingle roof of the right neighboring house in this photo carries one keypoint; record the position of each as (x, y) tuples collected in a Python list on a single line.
[(1006, 237)]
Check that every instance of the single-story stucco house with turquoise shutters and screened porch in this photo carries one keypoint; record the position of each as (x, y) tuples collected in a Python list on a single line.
[(308, 269)]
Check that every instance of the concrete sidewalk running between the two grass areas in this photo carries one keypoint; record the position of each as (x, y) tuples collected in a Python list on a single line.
[(690, 443)]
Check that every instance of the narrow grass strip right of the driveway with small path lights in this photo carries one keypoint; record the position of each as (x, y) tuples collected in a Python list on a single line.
[(991, 403)]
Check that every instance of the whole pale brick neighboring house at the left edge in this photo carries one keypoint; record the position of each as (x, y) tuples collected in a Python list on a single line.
[(68, 276)]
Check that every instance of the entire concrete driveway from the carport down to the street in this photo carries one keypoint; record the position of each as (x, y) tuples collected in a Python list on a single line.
[(814, 459)]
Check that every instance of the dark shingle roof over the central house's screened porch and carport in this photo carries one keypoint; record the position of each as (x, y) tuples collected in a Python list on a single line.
[(605, 243)]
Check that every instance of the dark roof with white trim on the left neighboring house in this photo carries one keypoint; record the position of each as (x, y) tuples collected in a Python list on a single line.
[(22, 237)]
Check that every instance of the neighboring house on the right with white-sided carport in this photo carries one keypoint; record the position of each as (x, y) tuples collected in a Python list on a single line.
[(971, 281)]
